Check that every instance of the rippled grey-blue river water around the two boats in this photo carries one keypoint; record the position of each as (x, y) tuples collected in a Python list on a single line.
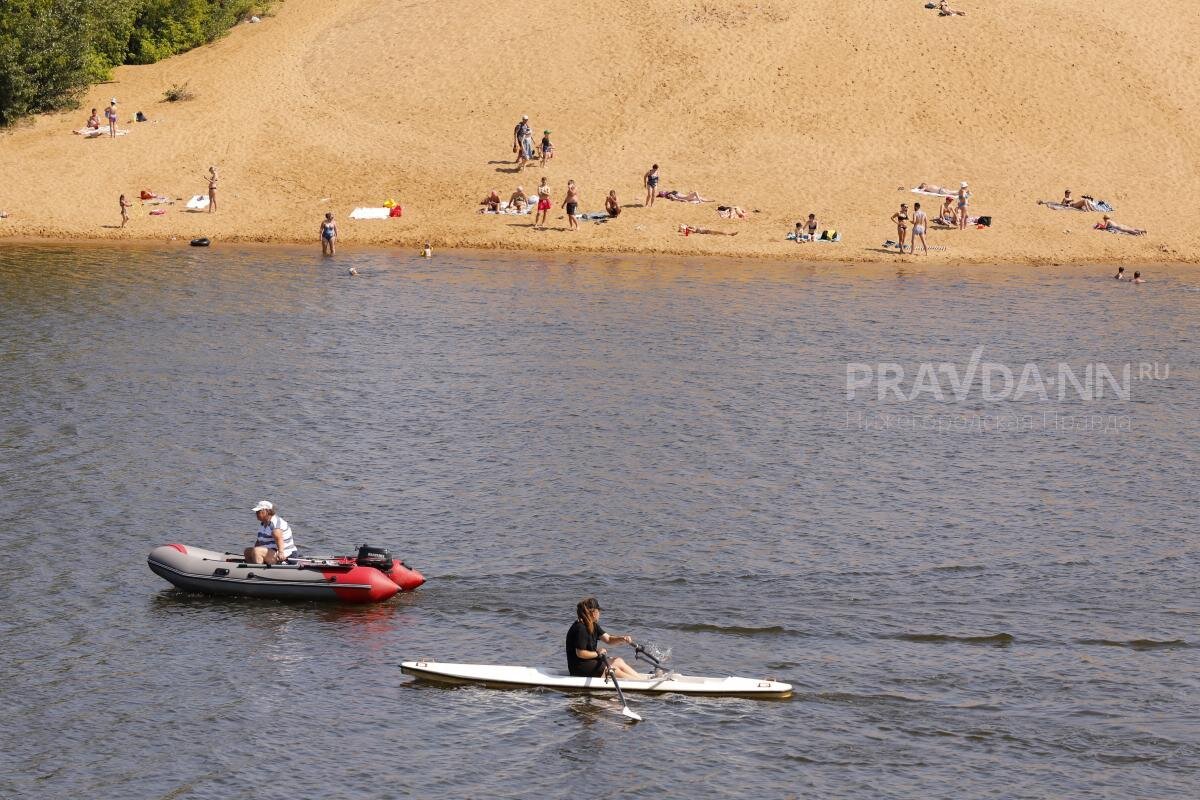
[(985, 597)]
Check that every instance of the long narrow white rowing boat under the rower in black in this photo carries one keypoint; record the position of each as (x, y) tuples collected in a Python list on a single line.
[(501, 677)]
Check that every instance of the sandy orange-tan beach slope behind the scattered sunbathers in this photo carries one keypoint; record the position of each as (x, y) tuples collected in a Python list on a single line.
[(836, 109)]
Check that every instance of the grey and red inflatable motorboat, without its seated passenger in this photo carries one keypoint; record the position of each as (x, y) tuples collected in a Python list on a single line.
[(370, 578)]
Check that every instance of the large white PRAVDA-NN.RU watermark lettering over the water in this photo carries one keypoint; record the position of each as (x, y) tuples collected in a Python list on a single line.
[(997, 382)]
